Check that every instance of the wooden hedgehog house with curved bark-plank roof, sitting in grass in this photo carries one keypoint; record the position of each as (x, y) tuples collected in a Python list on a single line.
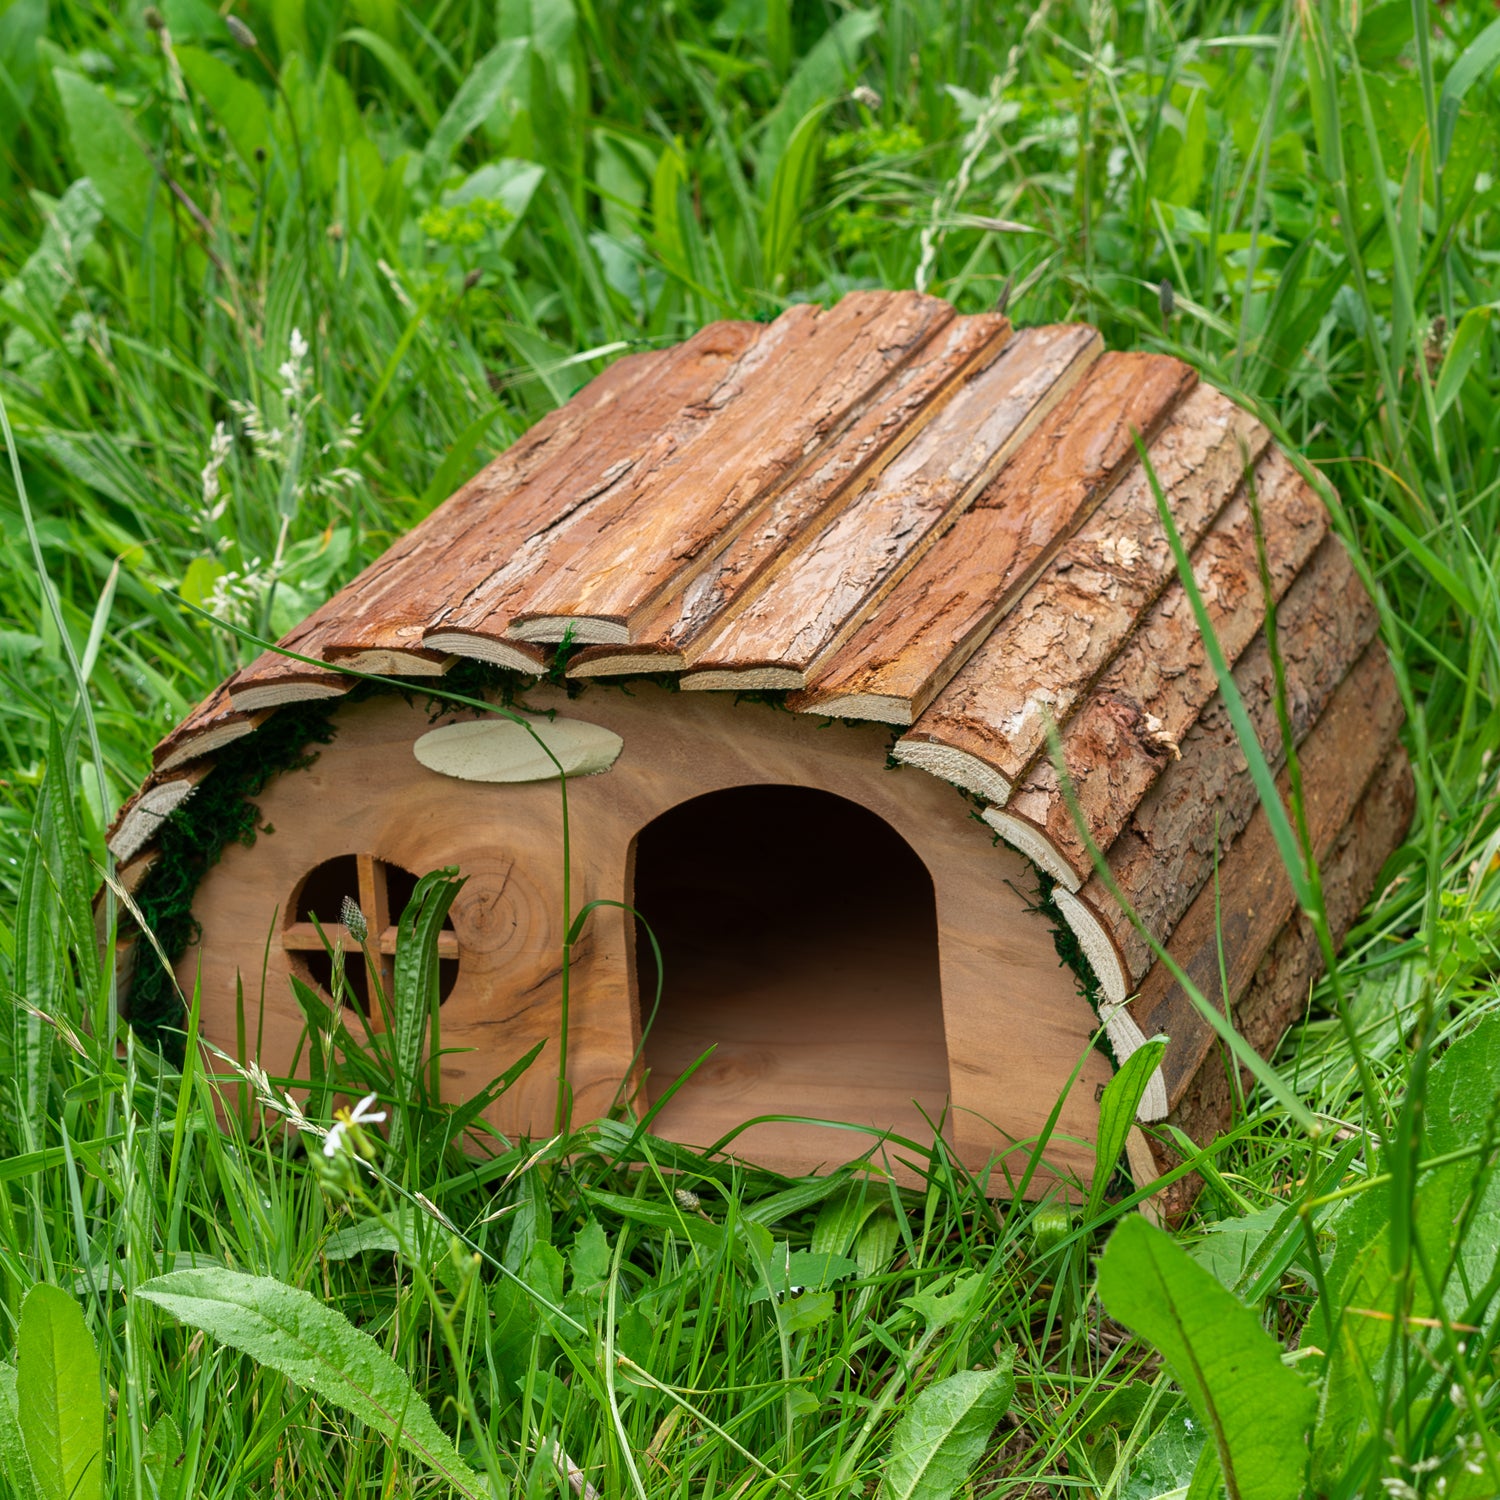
[(796, 605)]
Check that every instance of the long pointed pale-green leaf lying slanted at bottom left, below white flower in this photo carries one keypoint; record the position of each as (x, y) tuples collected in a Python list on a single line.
[(316, 1348)]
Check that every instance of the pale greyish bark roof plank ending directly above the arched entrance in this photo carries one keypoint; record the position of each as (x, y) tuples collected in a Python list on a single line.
[(818, 592)]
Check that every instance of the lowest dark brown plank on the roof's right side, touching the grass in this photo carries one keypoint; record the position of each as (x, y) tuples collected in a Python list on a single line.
[(1279, 994)]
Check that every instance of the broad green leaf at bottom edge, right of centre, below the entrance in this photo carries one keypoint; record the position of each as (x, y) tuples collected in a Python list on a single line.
[(944, 1432)]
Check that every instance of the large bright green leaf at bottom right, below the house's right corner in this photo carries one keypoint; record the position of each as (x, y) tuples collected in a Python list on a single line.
[(1226, 1364)]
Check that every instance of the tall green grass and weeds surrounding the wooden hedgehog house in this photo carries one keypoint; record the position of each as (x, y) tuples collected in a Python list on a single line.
[(274, 289)]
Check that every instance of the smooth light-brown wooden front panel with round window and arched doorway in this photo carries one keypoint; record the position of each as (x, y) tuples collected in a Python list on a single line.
[(1015, 1022)]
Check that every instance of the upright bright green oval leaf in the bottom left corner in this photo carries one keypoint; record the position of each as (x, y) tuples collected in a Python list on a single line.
[(59, 1403)]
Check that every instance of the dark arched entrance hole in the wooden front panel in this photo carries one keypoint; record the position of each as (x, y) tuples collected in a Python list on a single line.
[(800, 940)]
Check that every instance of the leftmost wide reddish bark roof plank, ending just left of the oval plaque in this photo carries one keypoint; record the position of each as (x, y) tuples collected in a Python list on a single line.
[(574, 449)]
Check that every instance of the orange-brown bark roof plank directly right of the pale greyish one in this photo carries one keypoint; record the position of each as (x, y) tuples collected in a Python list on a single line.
[(904, 656)]
